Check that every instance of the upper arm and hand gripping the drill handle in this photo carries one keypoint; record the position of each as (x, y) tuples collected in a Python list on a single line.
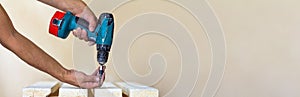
[(78, 8)]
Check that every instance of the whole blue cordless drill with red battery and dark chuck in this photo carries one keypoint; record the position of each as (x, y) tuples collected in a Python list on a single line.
[(63, 22)]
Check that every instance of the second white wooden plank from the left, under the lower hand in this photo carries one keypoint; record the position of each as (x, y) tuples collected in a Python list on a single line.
[(67, 90)]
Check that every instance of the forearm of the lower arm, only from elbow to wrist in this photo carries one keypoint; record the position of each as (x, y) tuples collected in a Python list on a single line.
[(33, 55)]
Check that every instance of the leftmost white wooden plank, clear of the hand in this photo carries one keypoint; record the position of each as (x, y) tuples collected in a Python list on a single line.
[(41, 89)]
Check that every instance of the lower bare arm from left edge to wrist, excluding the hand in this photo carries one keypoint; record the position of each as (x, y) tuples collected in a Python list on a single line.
[(27, 50)]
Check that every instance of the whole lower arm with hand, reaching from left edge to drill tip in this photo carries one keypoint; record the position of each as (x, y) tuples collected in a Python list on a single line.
[(11, 39)]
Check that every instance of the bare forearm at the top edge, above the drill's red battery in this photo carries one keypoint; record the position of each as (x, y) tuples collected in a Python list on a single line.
[(75, 6)]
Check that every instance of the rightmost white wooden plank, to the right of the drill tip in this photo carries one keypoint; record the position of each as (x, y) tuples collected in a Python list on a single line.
[(137, 90)]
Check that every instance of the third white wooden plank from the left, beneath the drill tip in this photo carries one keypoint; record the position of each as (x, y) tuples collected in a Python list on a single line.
[(108, 90)]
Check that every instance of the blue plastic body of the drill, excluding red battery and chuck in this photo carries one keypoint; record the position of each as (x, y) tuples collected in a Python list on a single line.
[(102, 34)]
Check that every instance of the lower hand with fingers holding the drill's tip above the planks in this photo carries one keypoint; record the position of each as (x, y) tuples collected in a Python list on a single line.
[(82, 80)]
